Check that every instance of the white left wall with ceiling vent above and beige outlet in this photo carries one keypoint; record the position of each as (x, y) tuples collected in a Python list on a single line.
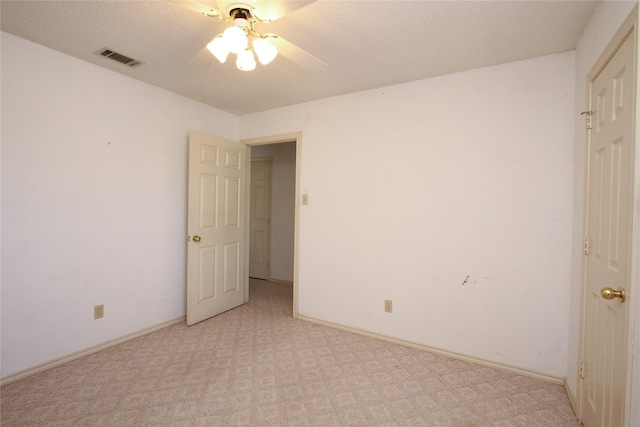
[(94, 177)]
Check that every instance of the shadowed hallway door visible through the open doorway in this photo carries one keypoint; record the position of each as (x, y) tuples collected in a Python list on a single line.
[(260, 213)]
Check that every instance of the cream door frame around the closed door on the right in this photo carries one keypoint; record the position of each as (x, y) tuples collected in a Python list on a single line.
[(630, 25)]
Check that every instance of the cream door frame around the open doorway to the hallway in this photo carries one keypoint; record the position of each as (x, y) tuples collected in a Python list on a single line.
[(276, 139)]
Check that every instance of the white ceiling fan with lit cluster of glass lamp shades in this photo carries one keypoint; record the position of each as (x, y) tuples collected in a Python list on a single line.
[(242, 37)]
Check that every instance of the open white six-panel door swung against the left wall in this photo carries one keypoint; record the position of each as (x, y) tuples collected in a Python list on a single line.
[(216, 270)]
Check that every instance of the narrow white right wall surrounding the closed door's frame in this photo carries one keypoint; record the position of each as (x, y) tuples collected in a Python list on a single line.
[(605, 22)]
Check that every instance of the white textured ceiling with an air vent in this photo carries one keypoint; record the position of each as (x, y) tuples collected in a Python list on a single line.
[(366, 44)]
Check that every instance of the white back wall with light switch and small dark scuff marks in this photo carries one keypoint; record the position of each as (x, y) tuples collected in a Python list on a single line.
[(418, 188)]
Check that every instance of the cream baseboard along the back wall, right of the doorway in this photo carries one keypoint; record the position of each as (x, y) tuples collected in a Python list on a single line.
[(472, 359)]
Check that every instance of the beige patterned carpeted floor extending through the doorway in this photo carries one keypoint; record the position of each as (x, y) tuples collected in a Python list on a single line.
[(257, 366)]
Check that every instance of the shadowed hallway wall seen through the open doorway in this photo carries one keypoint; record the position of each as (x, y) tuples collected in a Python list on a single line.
[(283, 185)]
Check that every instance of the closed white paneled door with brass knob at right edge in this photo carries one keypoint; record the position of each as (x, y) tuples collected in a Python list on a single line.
[(609, 231)]
